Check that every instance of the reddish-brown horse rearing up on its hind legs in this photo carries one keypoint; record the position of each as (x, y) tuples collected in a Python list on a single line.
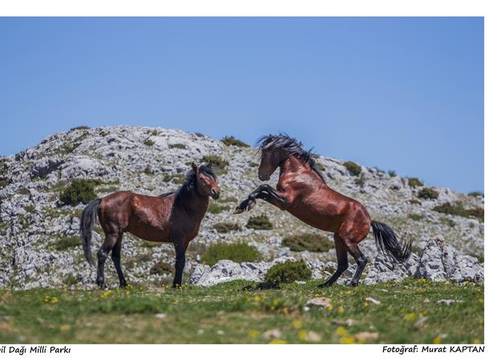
[(303, 192)]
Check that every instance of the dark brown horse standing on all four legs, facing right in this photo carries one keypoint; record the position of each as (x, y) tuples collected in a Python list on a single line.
[(173, 217)]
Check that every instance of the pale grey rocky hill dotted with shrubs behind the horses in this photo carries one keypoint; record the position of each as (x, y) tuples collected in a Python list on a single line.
[(39, 234)]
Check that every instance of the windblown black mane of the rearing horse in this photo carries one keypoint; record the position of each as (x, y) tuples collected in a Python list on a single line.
[(292, 147)]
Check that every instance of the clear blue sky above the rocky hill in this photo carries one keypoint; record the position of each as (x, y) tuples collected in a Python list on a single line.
[(397, 93)]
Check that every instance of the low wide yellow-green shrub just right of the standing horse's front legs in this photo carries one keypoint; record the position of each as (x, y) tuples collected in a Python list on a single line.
[(237, 252)]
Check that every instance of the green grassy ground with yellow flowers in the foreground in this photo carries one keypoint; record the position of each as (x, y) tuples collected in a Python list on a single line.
[(228, 314)]
